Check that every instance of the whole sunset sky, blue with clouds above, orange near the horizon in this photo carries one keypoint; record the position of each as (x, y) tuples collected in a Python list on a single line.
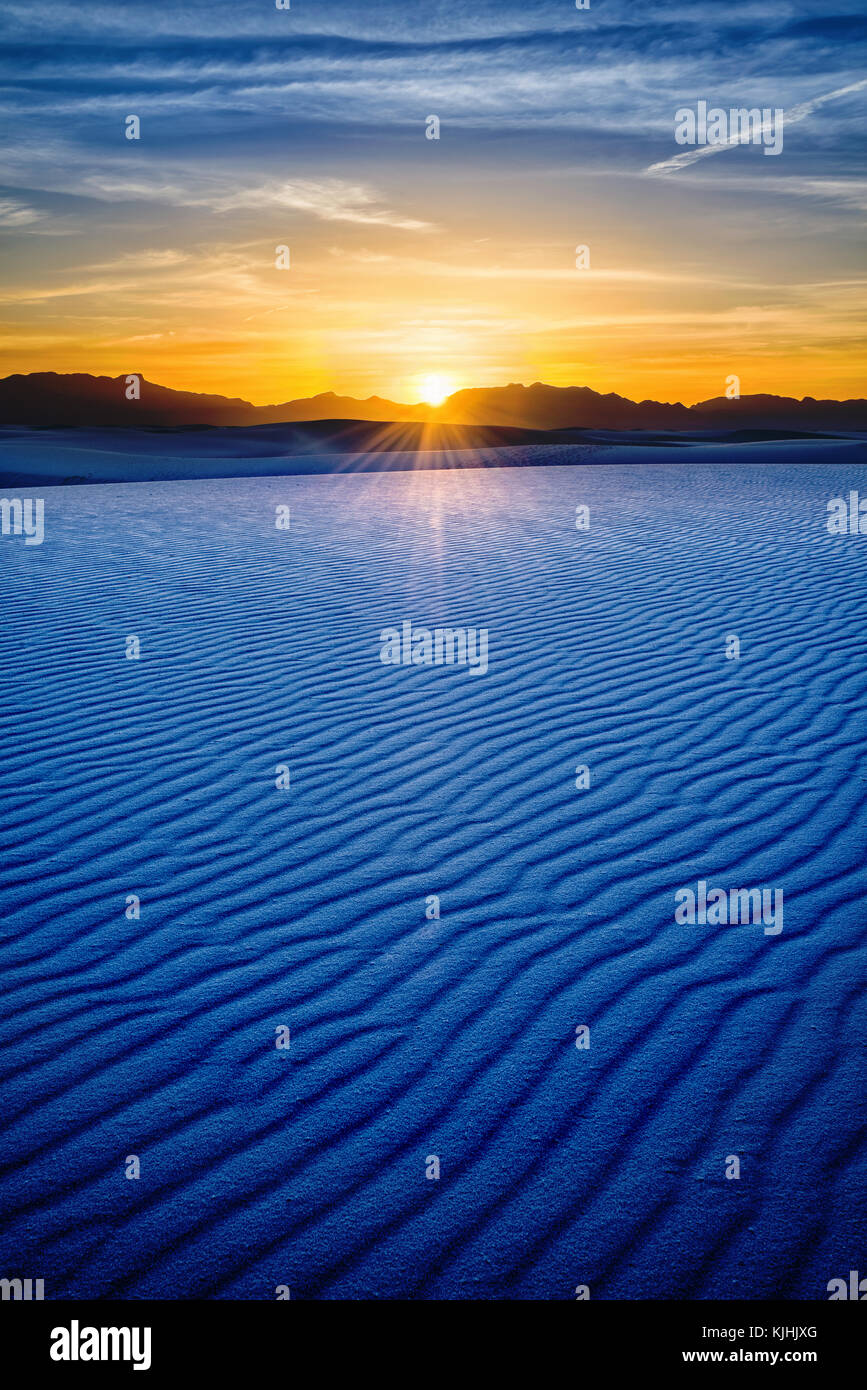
[(422, 266)]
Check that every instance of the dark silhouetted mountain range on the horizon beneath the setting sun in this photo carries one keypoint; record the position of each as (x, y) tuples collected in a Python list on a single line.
[(51, 401)]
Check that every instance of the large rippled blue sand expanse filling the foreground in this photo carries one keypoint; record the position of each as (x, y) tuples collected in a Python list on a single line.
[(306, 908)]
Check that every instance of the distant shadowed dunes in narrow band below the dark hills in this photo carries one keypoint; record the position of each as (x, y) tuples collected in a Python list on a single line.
[(47, 458)]
